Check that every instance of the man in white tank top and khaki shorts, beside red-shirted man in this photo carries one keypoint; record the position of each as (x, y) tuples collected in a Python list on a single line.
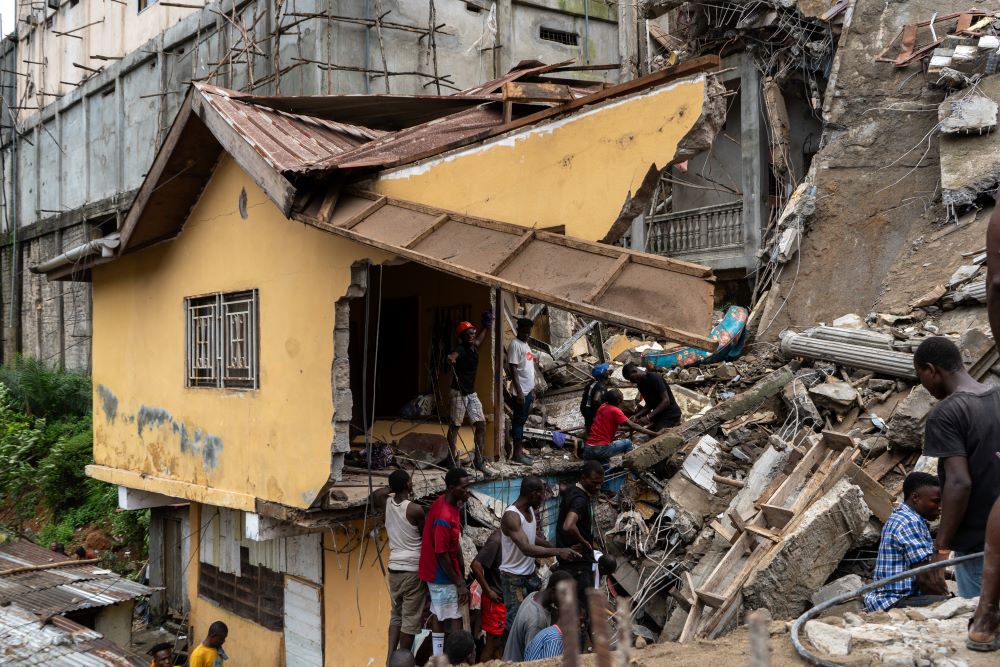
[(404, 524)]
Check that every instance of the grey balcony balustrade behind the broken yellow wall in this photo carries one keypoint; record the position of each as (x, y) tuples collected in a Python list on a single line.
[(712, 230)]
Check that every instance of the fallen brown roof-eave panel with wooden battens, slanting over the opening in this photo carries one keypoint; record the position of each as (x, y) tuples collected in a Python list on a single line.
[(595, 279)]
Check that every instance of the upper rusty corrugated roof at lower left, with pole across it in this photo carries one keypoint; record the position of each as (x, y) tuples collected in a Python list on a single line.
[(60, 589)]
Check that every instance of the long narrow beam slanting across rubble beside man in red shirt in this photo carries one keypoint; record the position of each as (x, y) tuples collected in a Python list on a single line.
[(665, 445)]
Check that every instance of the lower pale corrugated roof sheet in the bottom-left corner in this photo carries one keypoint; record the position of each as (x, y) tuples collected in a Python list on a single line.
[(26, 640)]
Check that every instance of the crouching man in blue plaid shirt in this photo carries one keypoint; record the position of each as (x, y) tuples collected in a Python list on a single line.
[(906, 544)]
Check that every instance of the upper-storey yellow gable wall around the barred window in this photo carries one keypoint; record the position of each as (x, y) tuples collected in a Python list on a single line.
[(272, 443)]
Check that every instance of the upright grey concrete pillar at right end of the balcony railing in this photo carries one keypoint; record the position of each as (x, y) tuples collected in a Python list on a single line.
[(754, 161)]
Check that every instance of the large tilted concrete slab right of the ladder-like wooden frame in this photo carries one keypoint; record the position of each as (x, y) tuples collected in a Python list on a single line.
[(806, 556)]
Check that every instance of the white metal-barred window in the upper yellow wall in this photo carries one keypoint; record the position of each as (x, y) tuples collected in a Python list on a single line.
[(222, 340)]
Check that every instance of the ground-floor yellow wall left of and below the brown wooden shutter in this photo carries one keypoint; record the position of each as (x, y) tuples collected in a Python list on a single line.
[(248, 643)]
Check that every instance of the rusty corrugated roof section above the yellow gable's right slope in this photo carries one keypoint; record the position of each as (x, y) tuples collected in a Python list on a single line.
[(286, 141)]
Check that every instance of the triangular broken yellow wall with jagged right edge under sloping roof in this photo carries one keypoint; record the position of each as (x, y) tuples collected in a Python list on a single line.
[(576, 171)]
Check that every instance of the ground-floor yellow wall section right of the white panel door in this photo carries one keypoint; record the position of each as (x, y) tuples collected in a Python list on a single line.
[(356, 603)]
